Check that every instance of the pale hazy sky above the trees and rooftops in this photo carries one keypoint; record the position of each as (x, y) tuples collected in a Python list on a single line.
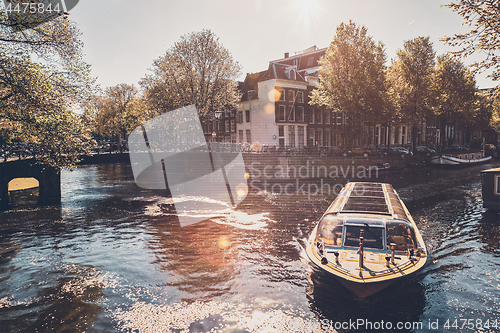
[(122, 38)]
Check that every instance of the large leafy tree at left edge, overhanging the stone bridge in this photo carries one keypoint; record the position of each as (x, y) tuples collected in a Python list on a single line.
[(42, 78)]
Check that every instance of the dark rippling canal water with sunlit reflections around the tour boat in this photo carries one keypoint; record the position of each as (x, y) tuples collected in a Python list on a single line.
[(113, 258)]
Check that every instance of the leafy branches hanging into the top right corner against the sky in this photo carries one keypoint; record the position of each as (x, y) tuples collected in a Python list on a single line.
[(483, 18)]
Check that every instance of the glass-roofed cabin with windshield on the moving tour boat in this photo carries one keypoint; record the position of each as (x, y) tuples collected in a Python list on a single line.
[(374, 208)]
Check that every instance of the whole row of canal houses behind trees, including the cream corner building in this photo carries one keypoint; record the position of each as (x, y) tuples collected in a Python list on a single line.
[(275, 111)]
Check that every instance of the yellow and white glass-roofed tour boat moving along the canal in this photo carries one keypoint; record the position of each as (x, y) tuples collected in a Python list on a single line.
[(367, 239)]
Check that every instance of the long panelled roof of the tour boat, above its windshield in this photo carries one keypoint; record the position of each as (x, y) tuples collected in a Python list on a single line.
[(368, 198)]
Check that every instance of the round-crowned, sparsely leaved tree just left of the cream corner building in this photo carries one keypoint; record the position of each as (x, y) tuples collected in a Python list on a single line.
[(196, 70)]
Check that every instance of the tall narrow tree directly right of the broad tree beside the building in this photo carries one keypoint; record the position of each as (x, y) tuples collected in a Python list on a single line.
[(411, 76)]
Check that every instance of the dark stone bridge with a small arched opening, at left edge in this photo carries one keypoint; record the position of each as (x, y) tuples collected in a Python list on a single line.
[(49, 180)]
